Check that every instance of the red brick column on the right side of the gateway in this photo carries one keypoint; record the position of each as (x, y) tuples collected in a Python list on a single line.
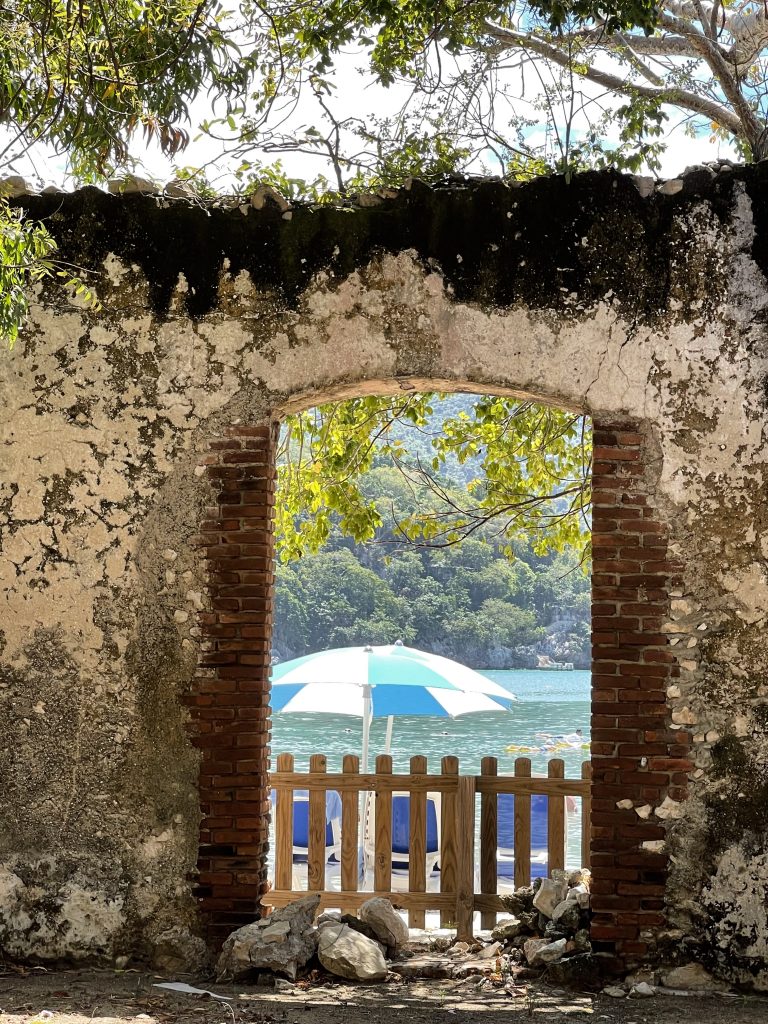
[(635, 754)]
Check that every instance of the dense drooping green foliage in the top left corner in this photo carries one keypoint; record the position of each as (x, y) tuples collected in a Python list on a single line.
[(83, 76)]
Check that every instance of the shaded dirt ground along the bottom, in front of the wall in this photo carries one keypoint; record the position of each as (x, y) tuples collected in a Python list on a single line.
[(117, 997)]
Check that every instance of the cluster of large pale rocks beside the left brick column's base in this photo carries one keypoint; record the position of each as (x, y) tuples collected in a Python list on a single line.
[(351, 948)]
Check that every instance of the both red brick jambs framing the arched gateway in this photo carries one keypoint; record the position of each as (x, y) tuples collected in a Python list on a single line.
[(637, 758)]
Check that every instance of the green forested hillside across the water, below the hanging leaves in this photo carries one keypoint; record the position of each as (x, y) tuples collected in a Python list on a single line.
[(468, 602)]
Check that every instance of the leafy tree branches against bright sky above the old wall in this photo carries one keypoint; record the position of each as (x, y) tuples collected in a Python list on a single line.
[(484, 87)]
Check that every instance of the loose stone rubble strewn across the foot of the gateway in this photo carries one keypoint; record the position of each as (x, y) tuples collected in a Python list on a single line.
[(548, 940)]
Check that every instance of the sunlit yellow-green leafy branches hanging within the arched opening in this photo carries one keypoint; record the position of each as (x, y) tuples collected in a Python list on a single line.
[(495, 467)]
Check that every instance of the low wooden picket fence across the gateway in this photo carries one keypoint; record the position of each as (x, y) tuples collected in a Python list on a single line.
[(457, 900)]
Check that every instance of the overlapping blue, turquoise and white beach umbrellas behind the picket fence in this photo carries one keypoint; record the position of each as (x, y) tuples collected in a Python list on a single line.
[(381, 682)]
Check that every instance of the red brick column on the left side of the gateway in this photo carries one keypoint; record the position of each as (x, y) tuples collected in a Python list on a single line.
[(231, 699)]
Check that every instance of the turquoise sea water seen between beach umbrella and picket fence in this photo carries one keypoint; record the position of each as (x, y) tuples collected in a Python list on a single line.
[(549, 703)]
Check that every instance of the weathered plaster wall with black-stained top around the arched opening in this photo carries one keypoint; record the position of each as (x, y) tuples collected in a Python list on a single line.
[(645, 311)]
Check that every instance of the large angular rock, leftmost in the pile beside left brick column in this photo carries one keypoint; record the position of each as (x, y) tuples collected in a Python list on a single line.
[(283, 943)]
